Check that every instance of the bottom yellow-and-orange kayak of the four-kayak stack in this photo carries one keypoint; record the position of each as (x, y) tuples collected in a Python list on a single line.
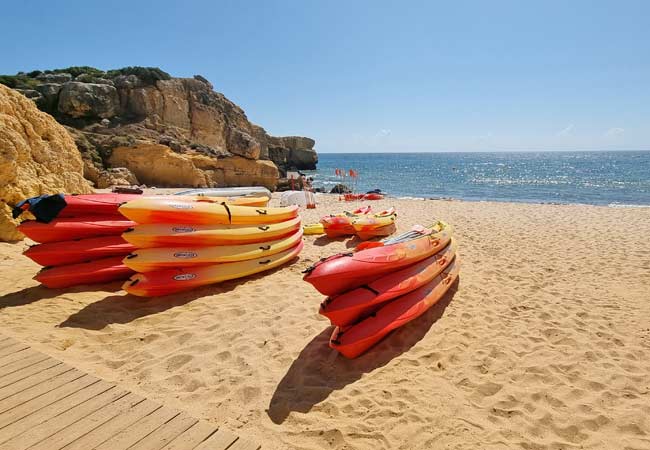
[(169, 281)]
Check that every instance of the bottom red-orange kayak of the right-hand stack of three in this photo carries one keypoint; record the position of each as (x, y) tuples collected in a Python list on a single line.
[(358, 338)]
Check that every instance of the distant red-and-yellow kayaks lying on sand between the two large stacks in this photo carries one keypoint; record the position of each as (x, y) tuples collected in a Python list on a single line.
[(360, 222)]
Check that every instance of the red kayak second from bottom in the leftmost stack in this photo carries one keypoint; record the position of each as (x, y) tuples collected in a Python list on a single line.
[(71, 252)]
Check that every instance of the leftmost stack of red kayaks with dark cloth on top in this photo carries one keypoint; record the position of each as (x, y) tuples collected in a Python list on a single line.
[(79, 238)]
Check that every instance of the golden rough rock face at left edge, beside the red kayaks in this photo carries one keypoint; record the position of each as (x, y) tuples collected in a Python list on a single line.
[(37, 156)]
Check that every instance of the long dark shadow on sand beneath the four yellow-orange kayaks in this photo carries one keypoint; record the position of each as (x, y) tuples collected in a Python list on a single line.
[(127, 308)]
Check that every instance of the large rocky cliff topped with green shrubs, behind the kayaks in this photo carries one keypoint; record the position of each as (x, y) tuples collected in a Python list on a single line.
[(141, 125)]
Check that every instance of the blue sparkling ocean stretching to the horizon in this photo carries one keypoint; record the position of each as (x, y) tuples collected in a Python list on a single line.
[(620, 178)]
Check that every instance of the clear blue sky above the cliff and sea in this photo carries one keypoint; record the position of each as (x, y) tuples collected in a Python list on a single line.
[(375, 76)]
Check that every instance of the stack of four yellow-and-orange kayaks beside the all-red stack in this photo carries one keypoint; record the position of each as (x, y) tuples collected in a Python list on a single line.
[(183, 245)]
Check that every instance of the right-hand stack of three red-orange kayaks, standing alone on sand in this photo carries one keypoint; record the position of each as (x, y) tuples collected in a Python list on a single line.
[(384, 285)]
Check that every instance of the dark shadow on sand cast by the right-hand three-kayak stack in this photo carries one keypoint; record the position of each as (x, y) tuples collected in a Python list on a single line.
[(319, 370)]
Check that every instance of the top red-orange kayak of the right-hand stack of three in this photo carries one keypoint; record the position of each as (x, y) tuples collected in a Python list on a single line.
[(346, 271)]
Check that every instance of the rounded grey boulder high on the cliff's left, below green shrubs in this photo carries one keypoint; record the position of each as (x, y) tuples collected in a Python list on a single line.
[(78, 99)]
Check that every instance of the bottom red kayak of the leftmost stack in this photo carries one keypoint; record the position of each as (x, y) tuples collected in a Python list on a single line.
[(99, 271)]
